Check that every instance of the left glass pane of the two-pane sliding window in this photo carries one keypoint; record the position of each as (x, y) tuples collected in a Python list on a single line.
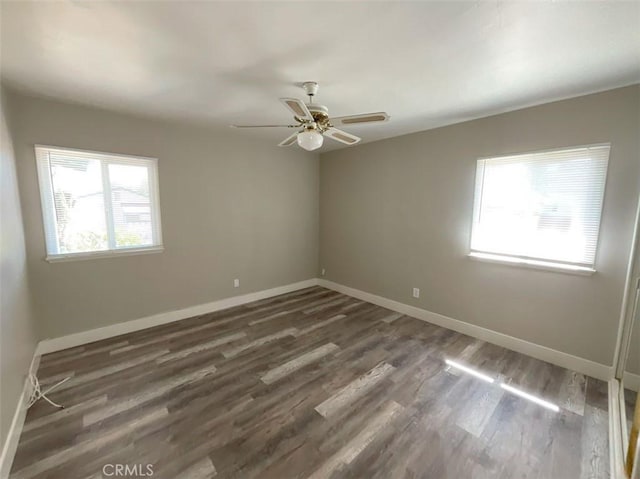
[(79, 204)]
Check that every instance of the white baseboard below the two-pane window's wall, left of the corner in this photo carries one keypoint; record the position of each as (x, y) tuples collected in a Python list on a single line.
[(85, 337)]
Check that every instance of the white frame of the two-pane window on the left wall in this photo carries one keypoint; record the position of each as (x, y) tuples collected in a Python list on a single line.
[(45, 187)]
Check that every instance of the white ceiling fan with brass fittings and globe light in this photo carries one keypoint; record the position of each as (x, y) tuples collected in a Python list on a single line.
[(313, 122)]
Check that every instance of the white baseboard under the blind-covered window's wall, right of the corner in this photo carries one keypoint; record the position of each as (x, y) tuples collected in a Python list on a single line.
[(574, 363)]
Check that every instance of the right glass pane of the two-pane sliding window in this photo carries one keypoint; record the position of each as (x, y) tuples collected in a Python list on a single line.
[(131, 206)]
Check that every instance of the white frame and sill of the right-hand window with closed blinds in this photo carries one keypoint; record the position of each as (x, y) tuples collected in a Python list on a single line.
[(566, 267)]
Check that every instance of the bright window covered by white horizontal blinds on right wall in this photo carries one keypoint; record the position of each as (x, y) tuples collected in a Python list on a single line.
[(540, 209)]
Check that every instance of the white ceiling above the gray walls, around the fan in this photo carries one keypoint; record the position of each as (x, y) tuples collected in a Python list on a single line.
[(426, 63)]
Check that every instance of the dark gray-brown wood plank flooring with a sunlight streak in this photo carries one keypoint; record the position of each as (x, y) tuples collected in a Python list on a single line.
[(311, 384)]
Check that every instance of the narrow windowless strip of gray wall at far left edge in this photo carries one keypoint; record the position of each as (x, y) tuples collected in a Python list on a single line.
[(17, 332)]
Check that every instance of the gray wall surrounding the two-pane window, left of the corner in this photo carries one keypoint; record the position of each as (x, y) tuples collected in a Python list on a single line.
[(231, 208)]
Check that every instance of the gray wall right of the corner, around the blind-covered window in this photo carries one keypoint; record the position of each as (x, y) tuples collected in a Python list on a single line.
[(397, 214)]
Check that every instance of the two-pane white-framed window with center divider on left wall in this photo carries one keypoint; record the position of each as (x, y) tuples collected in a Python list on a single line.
[(98, 204)]
